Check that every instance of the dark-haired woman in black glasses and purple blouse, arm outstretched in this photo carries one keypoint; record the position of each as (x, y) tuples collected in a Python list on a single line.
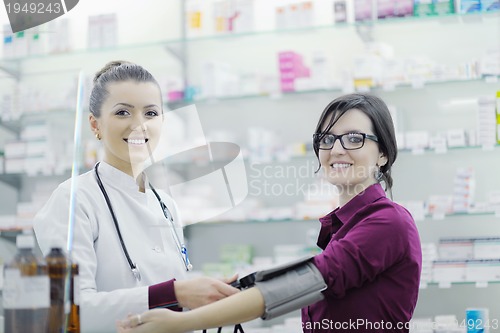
[(371, 258)]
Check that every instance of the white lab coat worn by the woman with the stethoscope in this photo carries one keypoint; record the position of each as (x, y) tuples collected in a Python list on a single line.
[(109, 291)]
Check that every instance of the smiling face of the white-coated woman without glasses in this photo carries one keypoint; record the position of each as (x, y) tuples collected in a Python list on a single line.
[(130, 124)]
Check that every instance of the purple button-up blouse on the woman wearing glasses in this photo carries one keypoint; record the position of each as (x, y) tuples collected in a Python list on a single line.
[(371, 262)]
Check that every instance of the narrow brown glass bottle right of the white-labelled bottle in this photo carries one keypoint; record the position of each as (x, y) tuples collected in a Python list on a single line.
[(56, 267)]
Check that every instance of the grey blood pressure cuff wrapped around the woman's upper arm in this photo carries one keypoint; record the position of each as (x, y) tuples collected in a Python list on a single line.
[(290, 287)]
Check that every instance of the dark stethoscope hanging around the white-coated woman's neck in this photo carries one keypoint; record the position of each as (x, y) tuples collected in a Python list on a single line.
[(166, 212)]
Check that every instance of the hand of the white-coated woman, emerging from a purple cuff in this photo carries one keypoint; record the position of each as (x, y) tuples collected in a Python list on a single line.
[(201, 291)]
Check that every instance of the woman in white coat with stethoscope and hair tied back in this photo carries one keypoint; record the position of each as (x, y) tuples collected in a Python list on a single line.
[(125, 239)]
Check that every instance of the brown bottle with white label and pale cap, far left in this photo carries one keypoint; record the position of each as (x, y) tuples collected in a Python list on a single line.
[(26, 293)]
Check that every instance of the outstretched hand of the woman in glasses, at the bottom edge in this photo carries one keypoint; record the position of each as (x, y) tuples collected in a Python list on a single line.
[(153, 321)]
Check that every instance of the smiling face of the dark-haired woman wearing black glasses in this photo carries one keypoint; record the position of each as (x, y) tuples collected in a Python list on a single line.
[(352, 171)]
